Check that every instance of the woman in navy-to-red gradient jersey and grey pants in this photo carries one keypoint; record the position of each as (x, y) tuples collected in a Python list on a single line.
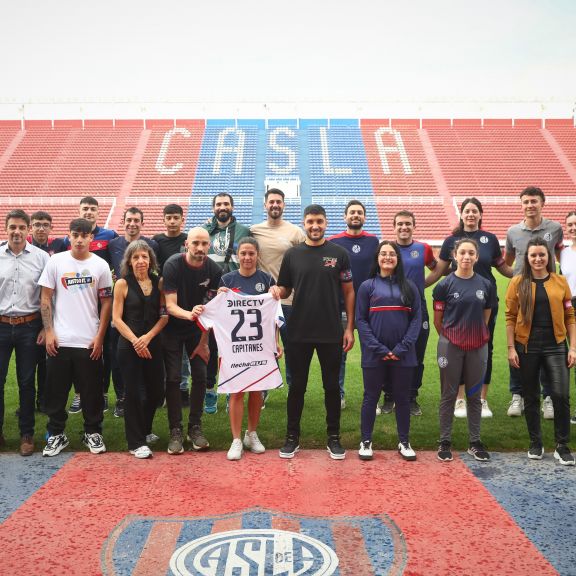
[(462, 305)]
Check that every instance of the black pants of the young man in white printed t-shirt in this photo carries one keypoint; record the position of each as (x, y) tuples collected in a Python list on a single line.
[(74, 365)]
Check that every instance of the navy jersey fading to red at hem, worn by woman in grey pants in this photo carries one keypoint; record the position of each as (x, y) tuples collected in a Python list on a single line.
[(463, 301)]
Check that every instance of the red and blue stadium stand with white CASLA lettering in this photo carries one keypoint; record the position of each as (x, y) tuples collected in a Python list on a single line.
[(427, 166)]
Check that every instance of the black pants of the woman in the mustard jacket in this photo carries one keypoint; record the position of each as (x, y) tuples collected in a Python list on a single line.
[(544, 353)]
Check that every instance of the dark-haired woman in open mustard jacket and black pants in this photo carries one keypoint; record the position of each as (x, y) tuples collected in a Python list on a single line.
[(539, 315)]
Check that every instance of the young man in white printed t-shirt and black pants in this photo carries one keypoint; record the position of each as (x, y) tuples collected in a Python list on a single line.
[(72, 285)]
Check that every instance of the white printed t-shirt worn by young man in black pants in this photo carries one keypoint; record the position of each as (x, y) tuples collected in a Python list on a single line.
[(77, 285)]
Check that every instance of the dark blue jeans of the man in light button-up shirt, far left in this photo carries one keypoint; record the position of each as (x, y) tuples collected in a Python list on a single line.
[(21, 338)]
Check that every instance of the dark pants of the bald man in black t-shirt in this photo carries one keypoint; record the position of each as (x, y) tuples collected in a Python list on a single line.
[(173, 345)]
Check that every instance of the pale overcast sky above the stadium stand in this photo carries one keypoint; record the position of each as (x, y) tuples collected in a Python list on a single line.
[(301, 50)]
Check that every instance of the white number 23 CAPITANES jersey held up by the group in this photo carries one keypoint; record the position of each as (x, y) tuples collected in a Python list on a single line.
[(245, 331)]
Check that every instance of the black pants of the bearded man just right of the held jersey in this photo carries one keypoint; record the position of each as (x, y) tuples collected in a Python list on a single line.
[(329, 356)]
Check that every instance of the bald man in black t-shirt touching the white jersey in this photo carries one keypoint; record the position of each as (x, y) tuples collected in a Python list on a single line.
[(189, 279)]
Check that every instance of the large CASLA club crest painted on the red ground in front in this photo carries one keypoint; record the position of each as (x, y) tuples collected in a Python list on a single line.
[(258, 542)]
